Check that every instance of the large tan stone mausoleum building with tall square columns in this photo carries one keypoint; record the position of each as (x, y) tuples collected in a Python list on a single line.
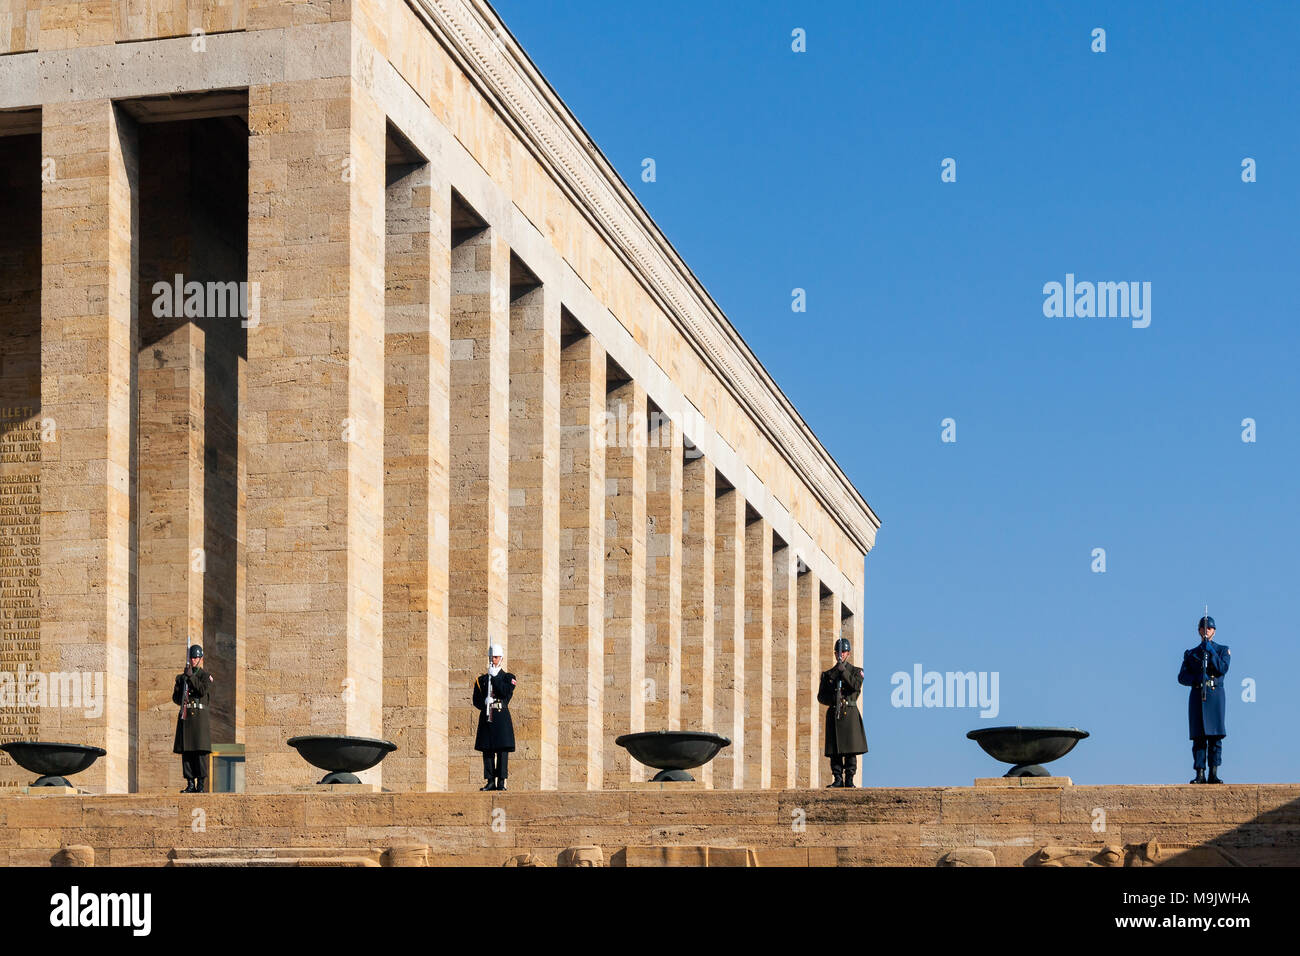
[(332, 343)]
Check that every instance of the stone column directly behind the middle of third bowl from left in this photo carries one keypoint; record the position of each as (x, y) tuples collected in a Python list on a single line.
[(664, 574)]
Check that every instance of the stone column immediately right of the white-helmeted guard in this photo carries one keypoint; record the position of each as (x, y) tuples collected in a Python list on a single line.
[(535, 505)]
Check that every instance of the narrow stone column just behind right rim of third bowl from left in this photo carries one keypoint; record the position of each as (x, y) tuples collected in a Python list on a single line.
[(730, 637)]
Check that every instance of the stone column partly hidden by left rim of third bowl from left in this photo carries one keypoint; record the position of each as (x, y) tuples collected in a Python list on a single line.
[(625, 577)]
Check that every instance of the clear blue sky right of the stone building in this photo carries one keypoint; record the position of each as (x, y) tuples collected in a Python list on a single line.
[(925, 301)]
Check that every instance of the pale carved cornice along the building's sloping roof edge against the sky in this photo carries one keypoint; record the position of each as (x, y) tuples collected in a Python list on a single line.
[(492, 58)]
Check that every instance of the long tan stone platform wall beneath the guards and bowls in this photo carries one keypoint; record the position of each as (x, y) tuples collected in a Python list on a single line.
[(911, 827)]
